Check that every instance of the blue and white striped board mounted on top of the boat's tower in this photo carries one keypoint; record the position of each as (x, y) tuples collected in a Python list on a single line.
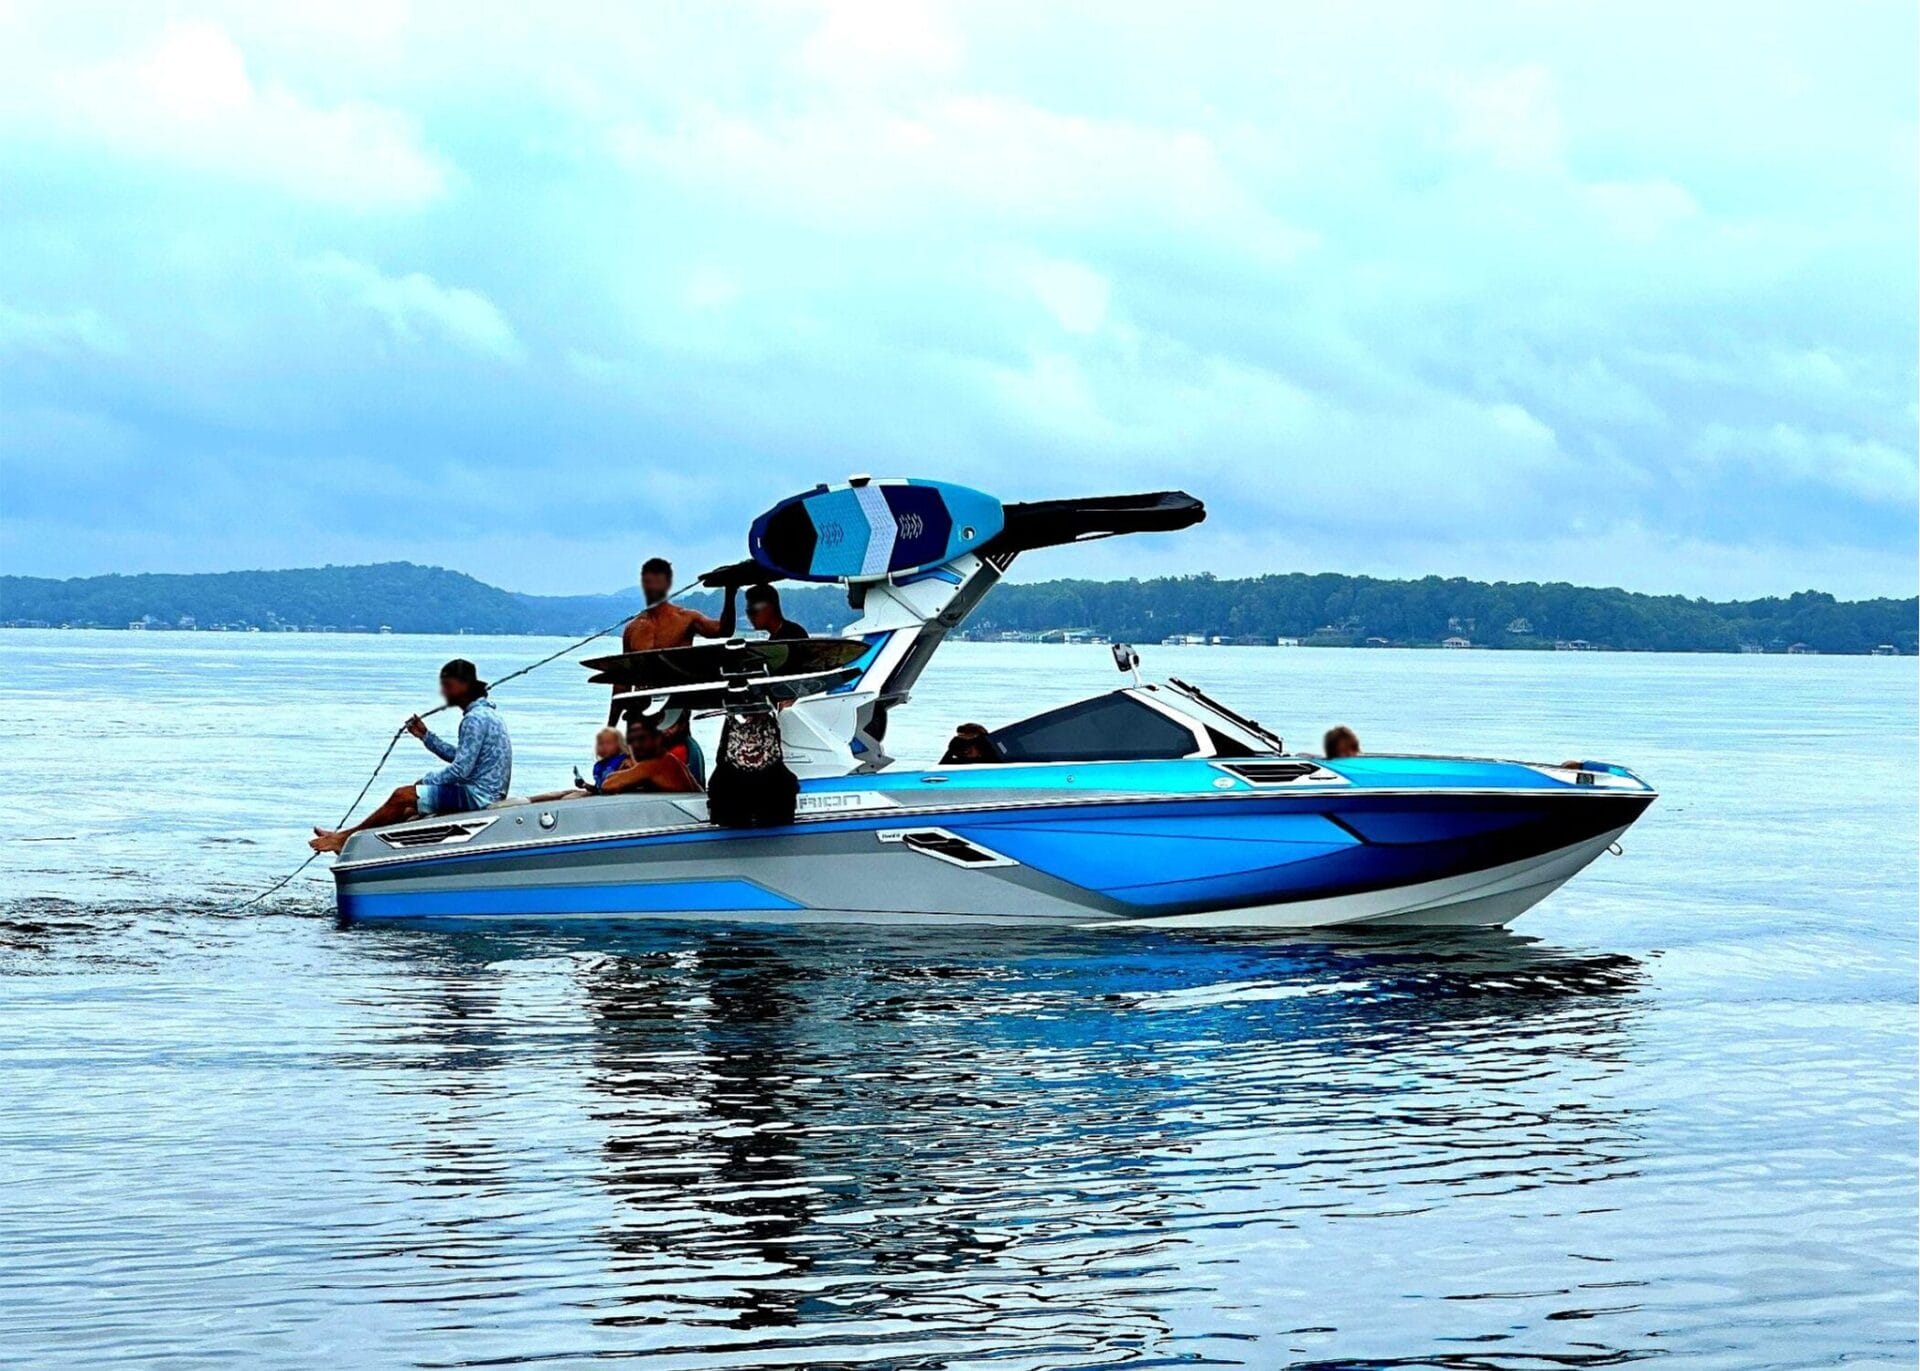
[(873, 529)]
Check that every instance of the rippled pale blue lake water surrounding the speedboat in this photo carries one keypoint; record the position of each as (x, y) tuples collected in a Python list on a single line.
[(1669, 1117)]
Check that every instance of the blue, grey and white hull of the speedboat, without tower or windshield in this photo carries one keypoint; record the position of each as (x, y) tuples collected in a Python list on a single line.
[(1078, 852)]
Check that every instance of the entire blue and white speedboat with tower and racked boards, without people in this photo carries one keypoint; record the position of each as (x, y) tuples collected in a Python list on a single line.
[(1149, 806)]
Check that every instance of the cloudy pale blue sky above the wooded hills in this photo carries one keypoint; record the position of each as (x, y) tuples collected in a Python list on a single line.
[(1604, 293)]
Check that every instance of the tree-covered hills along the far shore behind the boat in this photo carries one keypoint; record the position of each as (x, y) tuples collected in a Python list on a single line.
[(1310, 608)]
